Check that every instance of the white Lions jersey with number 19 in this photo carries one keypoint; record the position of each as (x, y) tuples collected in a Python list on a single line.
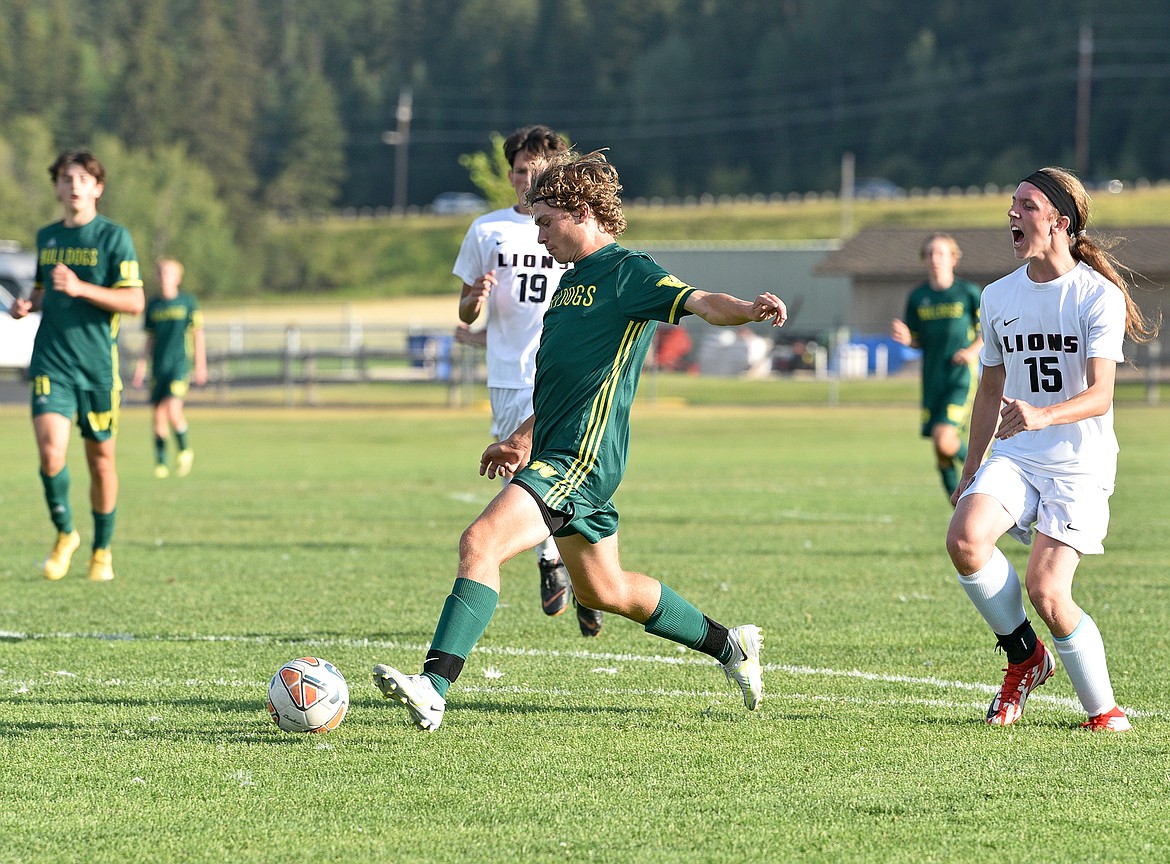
[(505, 242)]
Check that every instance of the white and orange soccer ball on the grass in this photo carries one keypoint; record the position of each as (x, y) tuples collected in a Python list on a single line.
[(308, 695)]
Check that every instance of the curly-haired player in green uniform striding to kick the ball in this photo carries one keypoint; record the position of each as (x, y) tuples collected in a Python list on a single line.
[(568, 460)]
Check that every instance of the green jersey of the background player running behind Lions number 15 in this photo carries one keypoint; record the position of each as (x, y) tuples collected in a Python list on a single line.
[(944, 324)]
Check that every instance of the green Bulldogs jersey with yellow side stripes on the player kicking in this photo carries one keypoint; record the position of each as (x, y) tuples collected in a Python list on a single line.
[(597, 333)]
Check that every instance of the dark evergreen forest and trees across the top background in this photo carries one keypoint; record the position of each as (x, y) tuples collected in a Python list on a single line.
[(230, 111)]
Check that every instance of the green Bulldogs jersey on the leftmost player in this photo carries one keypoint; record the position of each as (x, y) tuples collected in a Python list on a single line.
[(77, 341)]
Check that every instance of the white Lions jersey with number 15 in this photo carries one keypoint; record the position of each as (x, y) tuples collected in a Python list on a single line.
[(1043, 334)]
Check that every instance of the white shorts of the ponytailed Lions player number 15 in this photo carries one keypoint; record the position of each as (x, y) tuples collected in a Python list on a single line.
[(1072, 510)]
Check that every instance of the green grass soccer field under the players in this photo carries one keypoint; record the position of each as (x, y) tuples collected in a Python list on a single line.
[(133, 722)]
